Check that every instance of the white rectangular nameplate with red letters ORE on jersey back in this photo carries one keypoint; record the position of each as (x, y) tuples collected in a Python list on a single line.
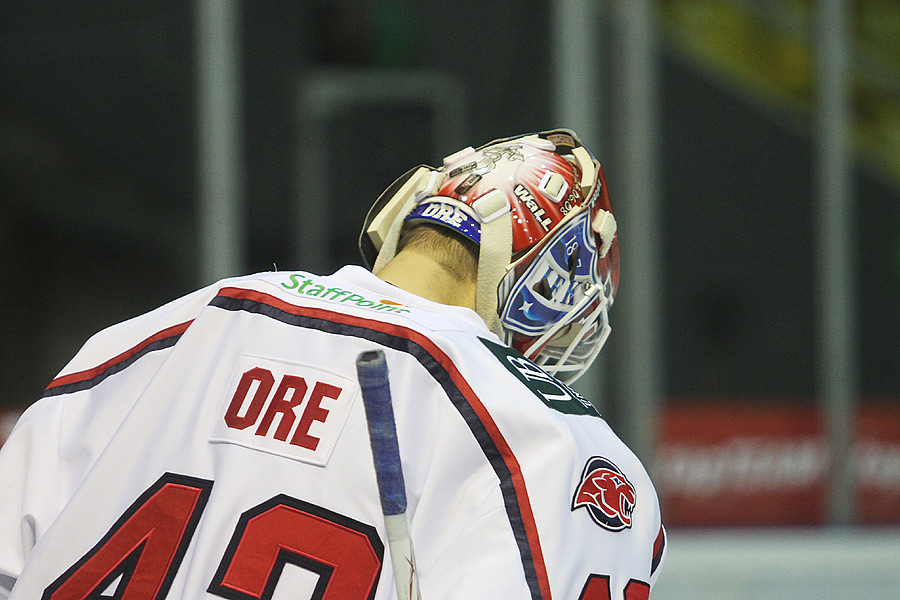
[(288, 409)]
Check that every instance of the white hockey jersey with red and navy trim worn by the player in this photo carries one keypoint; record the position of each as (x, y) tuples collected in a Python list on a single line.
[(217, 447)]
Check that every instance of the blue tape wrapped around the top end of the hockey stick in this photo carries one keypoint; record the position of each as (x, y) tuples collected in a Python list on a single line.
[(372, 371)]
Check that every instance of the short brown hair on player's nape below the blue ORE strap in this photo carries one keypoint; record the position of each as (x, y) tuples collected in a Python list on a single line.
[(453, 251)]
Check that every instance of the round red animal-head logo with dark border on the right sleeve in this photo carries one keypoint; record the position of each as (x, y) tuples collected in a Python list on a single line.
[(606, 493)]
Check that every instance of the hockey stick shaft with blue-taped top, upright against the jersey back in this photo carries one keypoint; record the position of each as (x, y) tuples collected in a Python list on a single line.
[(372, 371)]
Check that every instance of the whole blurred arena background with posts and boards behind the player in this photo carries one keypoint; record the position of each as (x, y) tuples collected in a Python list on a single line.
[(752, 150)]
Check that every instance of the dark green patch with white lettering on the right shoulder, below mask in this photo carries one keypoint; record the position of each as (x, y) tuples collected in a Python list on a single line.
[(549, 390)]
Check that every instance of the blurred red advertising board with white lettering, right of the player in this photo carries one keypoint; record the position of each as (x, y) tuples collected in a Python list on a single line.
[(753, 463)]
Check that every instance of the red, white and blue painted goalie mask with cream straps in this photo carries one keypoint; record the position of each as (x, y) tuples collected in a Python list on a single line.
[(538, 208)]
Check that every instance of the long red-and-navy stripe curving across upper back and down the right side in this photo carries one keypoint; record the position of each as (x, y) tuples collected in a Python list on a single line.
[(464, 400)]
